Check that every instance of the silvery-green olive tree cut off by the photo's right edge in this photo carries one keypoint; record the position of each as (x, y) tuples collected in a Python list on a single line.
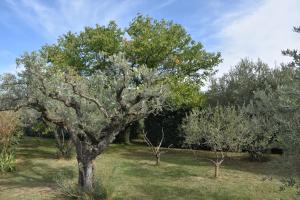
[(287, 107)]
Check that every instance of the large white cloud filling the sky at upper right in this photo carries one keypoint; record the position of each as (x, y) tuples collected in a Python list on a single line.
[(261, 32)]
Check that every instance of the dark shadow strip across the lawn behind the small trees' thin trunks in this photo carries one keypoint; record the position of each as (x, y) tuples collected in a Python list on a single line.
[(235, 162)]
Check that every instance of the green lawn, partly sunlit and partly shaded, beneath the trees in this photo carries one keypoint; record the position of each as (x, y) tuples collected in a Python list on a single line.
[(130, 173)]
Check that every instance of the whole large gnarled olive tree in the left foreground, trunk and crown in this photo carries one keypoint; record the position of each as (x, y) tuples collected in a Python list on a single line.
[(92, 109)]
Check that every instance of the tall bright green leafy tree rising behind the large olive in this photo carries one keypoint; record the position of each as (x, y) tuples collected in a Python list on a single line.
[(156, 44)]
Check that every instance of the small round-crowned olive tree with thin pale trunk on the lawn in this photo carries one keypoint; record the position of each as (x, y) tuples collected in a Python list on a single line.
[(220, 128)]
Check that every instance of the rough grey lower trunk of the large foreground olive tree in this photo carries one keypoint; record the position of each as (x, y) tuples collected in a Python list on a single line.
[(86, 174)]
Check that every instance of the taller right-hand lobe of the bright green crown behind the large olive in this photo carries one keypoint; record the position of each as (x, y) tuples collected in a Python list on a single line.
[(163, 44)]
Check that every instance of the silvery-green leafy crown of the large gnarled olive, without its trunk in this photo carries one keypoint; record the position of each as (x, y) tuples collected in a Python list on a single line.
[(95, 94)]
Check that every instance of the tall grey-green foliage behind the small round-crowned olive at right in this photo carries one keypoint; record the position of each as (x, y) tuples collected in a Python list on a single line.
[(258, 91)]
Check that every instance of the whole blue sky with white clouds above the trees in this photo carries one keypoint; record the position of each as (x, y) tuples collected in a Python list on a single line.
[(236, 28)]
